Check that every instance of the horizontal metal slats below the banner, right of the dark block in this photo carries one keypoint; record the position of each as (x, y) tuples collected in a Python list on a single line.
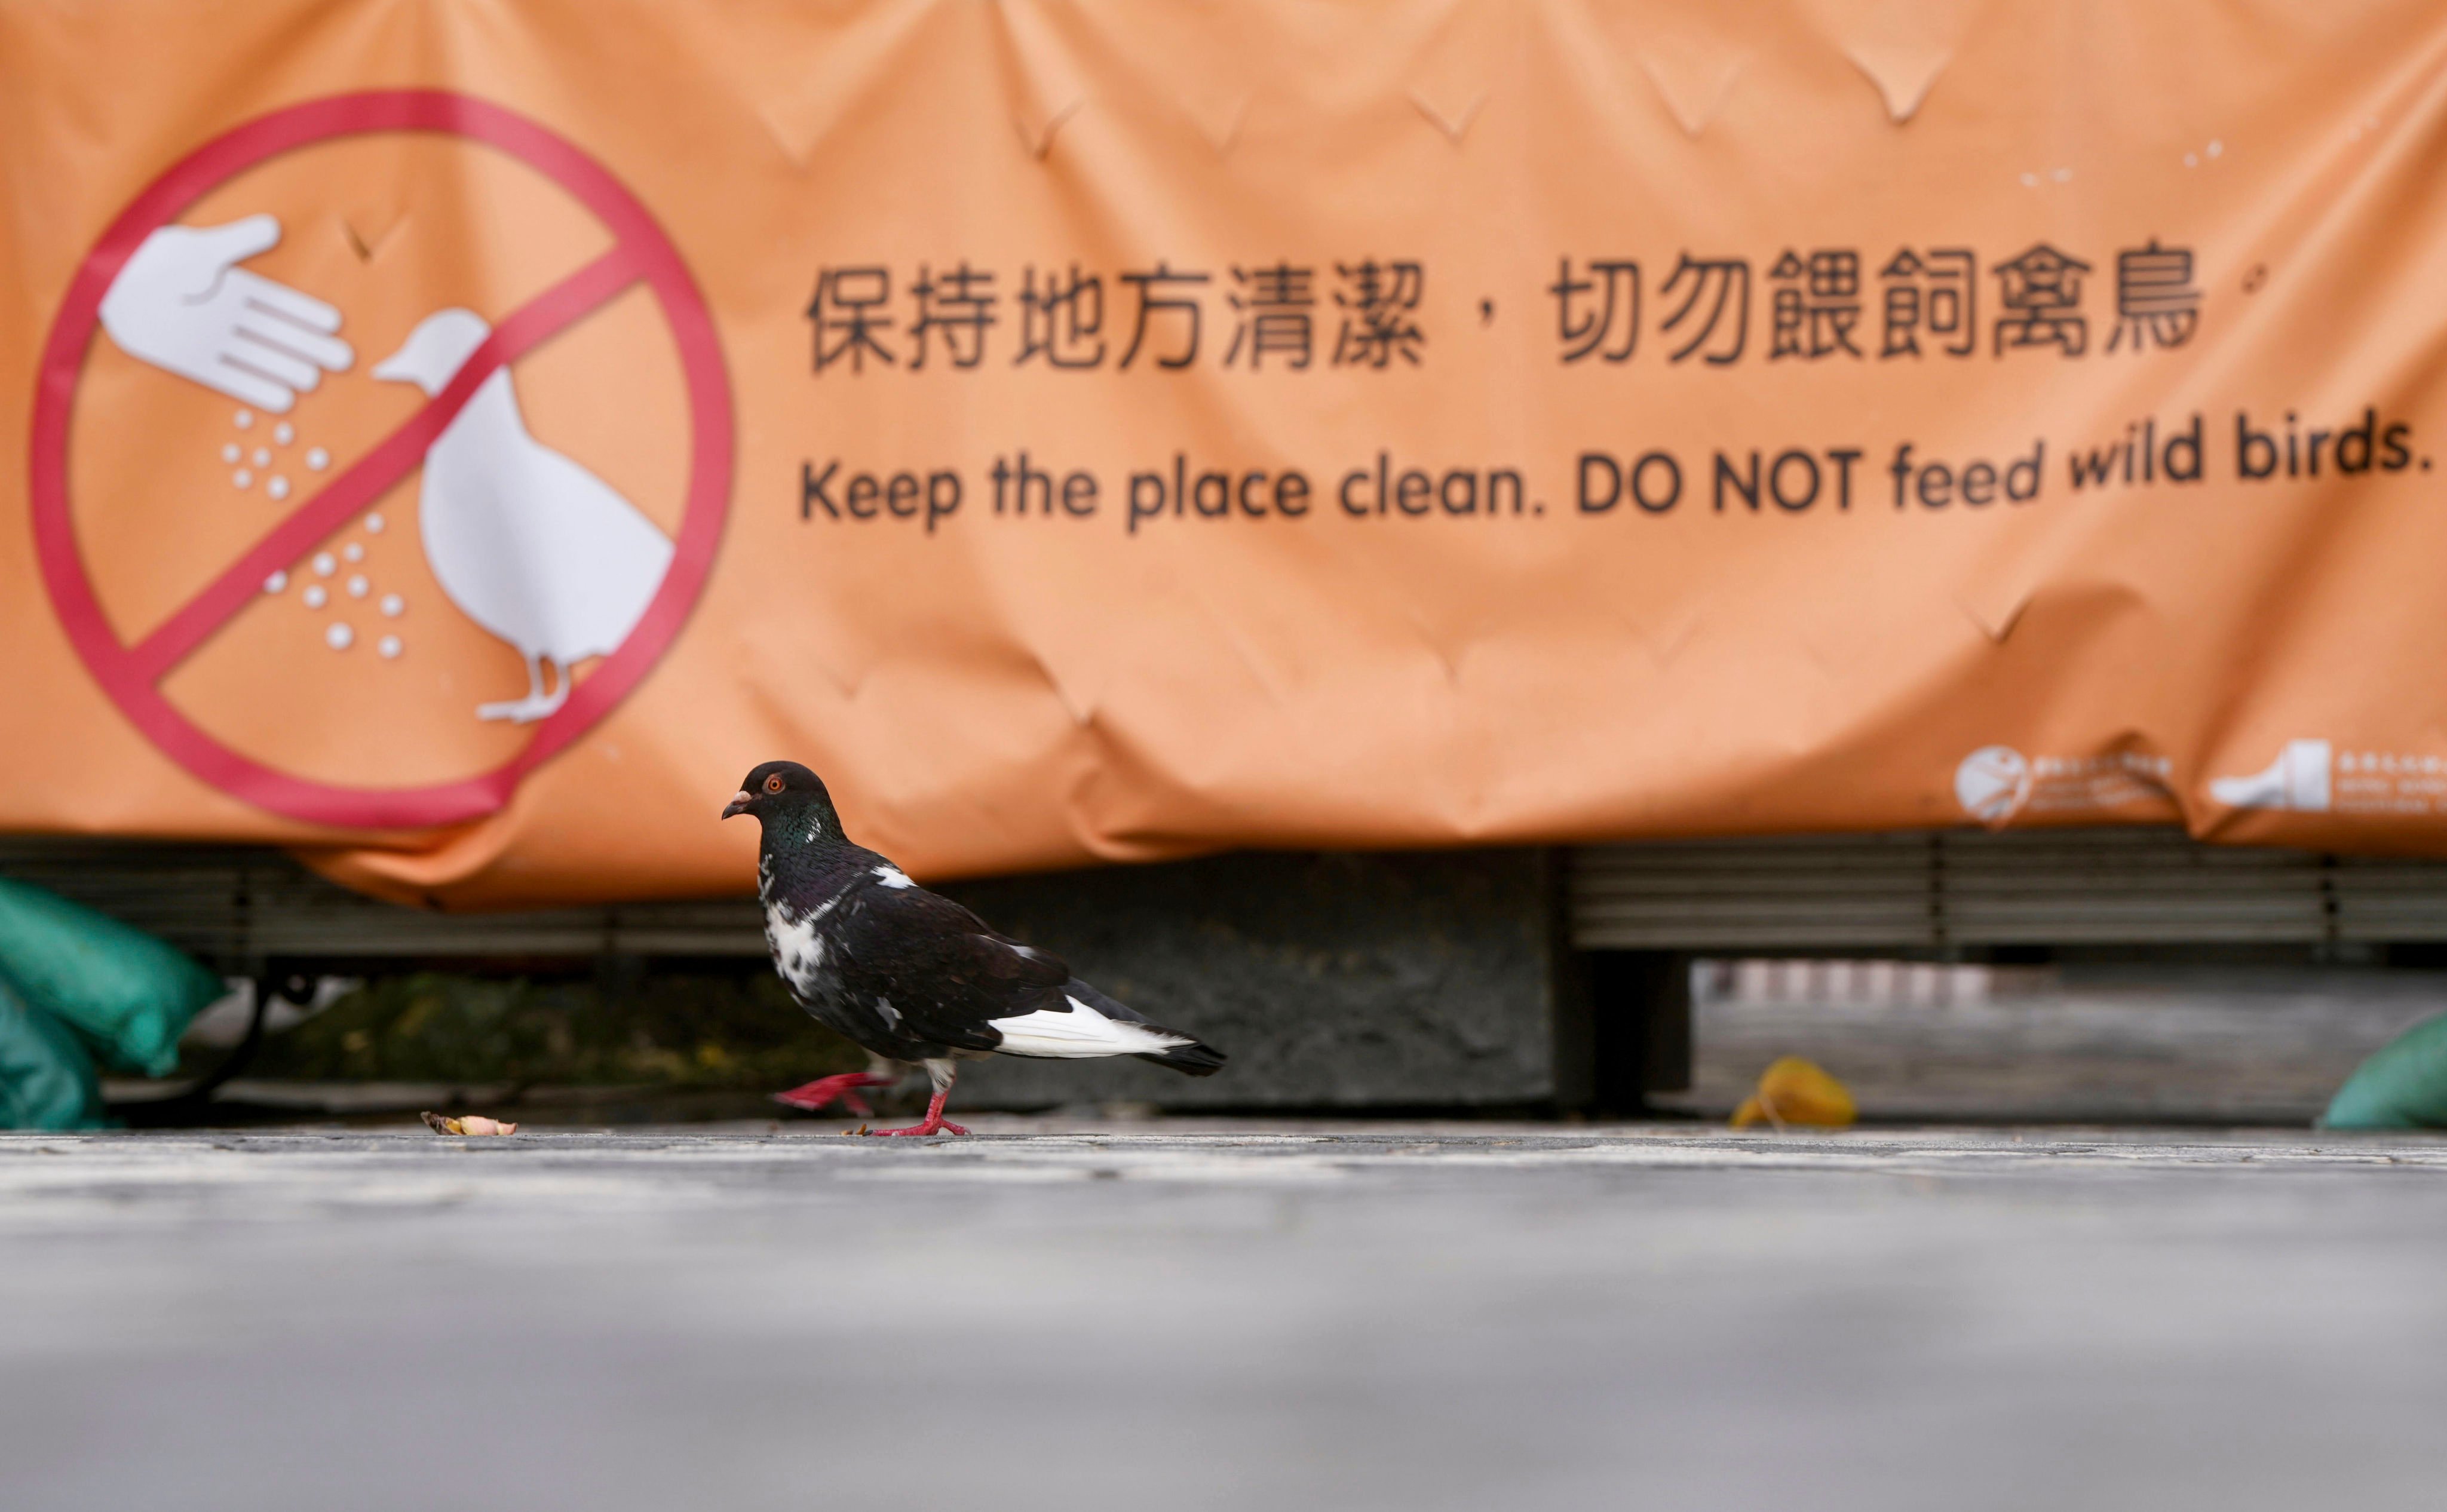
[(1971, 887)]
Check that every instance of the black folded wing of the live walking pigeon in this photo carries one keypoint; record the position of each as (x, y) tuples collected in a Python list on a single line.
[(943, 970)]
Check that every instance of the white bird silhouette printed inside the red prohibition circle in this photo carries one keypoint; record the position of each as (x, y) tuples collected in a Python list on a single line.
[(525, 542)]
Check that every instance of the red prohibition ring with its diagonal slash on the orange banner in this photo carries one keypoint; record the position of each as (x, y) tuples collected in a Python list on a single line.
[(133, 674)]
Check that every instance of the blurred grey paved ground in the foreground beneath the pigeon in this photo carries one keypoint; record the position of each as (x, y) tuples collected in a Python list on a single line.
[(1208, 1315)]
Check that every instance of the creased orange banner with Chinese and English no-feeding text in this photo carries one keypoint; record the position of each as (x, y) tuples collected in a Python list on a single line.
[(459, 439)]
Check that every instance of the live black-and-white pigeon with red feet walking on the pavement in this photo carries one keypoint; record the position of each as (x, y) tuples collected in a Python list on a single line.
[(909, 975)]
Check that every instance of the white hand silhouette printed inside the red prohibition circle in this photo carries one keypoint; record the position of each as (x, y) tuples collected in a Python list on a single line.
[(185, 307)]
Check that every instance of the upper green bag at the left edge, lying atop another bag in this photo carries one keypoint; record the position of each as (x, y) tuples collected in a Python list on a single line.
[(126, 992)]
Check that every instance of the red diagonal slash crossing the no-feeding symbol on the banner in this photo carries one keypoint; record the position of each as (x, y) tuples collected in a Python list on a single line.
[(403, 451)]
